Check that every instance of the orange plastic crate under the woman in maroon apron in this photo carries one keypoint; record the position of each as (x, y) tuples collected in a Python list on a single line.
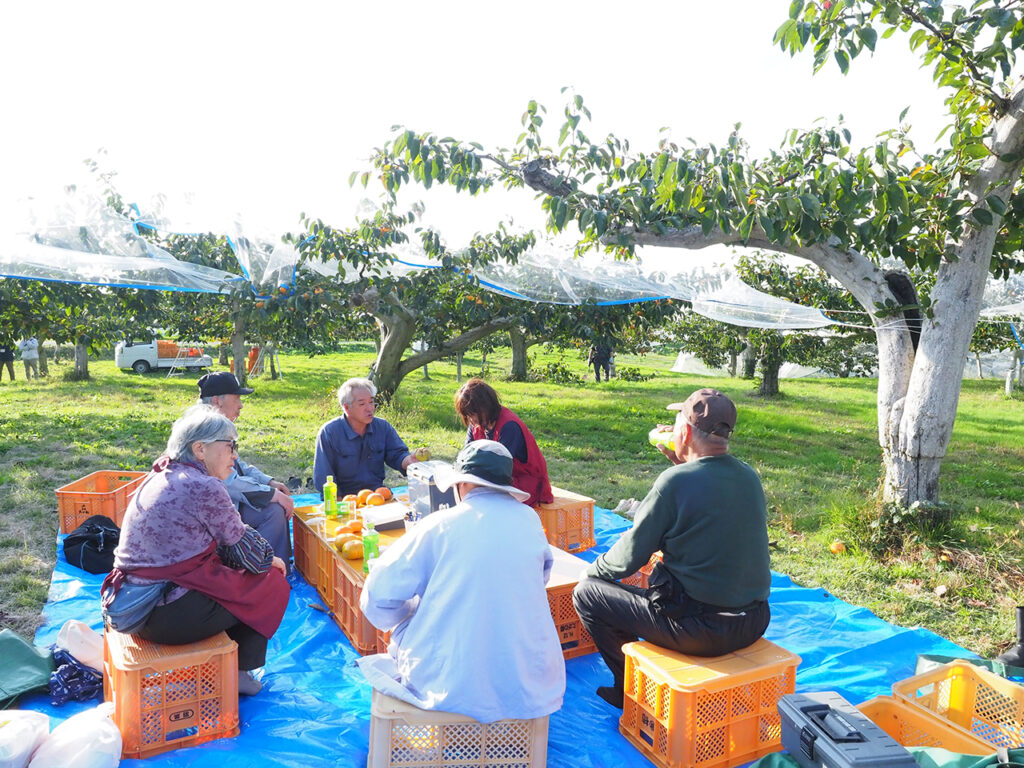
[(169, 697)]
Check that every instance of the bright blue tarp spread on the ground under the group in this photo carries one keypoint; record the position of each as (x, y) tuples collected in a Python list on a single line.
[(314, 711)]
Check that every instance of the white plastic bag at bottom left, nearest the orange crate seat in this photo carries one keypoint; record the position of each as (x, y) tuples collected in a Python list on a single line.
[(90, 740)]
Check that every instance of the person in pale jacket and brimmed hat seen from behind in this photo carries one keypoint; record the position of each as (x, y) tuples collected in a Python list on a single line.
[(463, 594)]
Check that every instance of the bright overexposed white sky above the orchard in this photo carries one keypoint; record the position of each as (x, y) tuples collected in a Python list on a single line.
[(267, 108)]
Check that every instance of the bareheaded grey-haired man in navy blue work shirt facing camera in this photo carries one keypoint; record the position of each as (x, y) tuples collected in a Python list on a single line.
[(356, 448)]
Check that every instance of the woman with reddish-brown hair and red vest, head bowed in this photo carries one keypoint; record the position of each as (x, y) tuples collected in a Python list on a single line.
[(487, 419)]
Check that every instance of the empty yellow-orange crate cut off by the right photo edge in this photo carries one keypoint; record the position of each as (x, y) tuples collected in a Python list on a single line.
[(972, 700)]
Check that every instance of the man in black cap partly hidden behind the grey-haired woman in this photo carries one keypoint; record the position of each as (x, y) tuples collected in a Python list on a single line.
[(264, 503)]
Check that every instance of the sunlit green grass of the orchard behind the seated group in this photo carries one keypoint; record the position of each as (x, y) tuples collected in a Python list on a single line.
[(816, 448)]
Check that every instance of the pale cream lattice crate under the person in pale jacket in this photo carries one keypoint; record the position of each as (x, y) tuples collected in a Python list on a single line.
[(404, 736)]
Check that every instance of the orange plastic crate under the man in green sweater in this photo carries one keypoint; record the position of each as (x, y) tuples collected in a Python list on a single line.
[(690, 712)]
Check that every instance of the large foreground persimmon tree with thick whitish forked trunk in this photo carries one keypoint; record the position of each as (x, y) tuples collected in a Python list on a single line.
[(956, 212)]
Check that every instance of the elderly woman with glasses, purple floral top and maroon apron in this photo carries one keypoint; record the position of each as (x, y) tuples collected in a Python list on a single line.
[(183, 532)]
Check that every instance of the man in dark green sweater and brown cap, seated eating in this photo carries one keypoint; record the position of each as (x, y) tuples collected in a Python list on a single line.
[(707, 515)]
